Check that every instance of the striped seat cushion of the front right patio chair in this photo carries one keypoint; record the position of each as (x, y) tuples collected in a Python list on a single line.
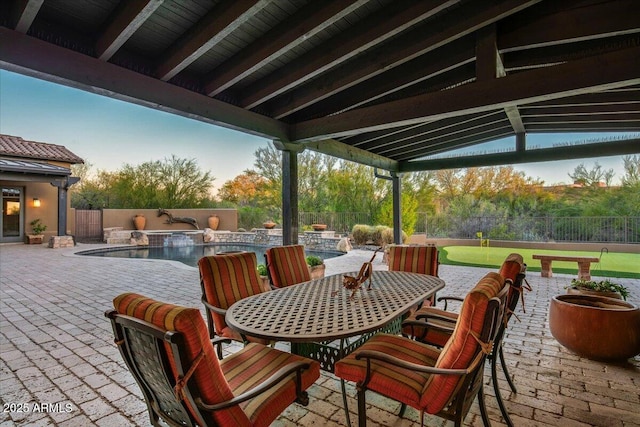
[(403, 385)]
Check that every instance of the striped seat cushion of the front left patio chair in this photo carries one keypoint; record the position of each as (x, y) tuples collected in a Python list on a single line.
[(247, 369)]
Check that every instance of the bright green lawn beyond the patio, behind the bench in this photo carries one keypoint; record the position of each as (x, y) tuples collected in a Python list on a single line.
[(611, 264)]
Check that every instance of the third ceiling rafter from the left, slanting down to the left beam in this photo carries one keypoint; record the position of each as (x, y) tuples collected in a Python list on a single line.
[(221, 21)]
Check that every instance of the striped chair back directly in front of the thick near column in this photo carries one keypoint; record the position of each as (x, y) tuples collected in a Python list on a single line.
[(286, 265)]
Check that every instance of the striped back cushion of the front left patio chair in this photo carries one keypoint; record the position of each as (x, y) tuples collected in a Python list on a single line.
[(208, 375)]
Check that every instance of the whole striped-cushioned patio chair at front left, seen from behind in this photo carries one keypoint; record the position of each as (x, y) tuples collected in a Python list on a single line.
[(167, 350)]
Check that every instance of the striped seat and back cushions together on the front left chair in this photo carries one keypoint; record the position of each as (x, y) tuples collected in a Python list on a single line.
[(218, 381)]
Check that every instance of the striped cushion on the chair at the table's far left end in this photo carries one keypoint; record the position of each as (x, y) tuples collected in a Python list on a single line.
[(228, 278)]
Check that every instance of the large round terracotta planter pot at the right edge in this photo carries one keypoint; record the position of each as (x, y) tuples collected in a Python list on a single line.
[(596, 327)]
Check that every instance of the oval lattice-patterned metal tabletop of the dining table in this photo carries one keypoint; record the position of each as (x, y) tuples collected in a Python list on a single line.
[(308, 312)]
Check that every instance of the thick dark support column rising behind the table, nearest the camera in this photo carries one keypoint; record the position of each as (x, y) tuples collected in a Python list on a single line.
[(289, 191)]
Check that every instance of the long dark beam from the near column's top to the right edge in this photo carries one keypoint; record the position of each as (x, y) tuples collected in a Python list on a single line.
[(613, 70)]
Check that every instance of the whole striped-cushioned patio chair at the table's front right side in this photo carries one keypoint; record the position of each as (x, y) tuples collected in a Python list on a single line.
[(439, 382)]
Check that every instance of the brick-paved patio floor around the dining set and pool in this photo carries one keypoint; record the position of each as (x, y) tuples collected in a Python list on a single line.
[(57, 347)]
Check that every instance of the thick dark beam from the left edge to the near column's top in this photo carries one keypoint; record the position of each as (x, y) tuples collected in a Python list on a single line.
[(27, 55)]
